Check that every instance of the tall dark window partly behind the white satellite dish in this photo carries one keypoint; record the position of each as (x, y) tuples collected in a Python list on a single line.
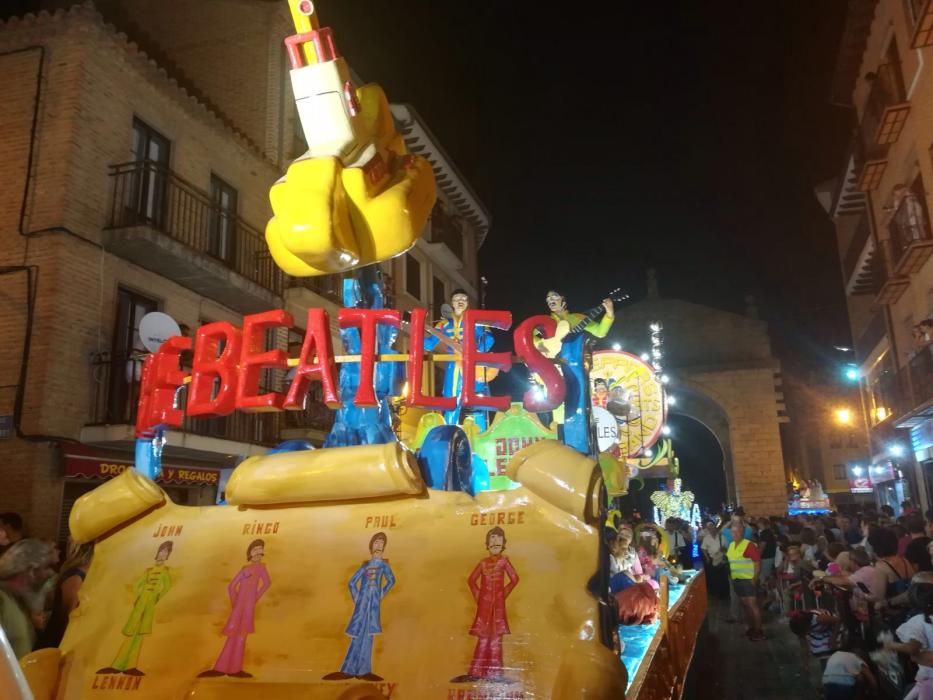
[(126, 356)]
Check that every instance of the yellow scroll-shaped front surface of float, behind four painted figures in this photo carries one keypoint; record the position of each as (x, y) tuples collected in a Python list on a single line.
[(434, 541)]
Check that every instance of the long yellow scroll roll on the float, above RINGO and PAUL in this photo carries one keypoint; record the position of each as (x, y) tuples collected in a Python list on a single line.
[(329, 474)]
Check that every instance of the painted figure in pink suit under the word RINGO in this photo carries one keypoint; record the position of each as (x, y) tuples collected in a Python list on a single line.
[(245, 590)]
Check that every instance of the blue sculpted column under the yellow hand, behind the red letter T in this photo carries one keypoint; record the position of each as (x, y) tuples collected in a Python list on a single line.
[(355, 425)]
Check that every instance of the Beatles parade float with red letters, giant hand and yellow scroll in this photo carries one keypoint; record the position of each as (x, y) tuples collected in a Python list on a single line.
[(465, 560)]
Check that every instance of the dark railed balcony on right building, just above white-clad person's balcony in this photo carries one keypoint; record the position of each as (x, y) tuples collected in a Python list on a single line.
[(883, 119)]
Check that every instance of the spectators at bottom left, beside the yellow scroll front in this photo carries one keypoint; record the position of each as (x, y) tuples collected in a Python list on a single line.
[(37, 590)]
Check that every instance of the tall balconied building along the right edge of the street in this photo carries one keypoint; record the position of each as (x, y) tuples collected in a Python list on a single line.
[(880, 203)]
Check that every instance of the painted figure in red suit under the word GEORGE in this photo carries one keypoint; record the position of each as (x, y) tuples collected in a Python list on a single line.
[(489, 589)]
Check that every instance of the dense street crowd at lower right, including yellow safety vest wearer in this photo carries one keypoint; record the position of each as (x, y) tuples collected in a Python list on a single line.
[(855, 587)]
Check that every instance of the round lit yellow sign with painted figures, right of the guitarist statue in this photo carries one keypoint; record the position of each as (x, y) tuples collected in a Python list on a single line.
[(627, 388)]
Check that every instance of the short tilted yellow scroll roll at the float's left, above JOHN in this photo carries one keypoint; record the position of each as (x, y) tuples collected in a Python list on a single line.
[(111, 504)]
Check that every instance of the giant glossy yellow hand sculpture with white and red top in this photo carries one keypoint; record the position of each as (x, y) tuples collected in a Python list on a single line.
[(356, 197)]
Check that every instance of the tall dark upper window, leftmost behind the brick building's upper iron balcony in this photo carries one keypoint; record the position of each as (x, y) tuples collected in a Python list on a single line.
[(146, 197)]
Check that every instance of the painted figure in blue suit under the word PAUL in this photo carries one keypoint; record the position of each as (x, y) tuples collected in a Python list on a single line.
[(367, 591)]
